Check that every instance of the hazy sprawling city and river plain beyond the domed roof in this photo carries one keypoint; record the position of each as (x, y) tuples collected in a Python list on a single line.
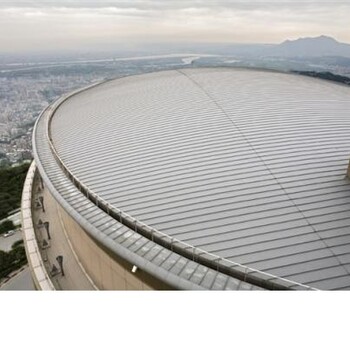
[(27, 88)]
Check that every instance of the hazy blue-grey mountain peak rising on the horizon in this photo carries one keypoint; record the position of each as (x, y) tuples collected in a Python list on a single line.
[(309, 47)]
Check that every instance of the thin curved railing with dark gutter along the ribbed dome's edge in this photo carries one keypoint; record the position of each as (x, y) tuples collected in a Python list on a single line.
[(228, 267)]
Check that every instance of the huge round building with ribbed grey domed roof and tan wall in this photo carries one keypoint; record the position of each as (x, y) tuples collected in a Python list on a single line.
[(207, 178)]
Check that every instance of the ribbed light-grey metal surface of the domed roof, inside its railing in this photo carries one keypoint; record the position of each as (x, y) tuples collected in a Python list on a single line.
[(247, 165)]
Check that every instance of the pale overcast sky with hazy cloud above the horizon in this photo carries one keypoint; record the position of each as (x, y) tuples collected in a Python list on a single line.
[(67, 24)]
